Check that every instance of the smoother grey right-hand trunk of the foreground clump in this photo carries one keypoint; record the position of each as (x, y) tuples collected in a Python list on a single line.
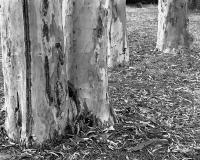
[(88, 61)]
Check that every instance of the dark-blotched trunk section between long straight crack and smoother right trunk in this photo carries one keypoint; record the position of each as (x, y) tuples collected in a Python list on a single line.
[(49, 77)]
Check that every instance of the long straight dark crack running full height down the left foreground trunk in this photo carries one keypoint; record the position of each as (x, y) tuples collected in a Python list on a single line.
[(28, 68)]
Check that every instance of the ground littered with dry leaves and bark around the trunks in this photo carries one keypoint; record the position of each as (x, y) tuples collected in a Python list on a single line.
[(156, 98)]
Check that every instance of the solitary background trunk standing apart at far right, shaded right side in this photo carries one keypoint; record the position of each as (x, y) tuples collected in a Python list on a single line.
[(172, 25)]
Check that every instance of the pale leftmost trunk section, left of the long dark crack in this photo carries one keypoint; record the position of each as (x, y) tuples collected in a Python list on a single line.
[(14, 68)]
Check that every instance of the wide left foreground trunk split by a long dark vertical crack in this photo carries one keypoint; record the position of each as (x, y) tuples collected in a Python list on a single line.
[(35, 69)]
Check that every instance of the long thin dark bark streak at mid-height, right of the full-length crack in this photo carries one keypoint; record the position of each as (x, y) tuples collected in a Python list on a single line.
[(47, 76)]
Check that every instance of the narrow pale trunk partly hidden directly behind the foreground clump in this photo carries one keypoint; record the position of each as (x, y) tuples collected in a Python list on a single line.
[(118, 52)]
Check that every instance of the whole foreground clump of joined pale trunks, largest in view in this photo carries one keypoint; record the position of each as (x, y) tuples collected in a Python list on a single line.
[(45, 90)]
